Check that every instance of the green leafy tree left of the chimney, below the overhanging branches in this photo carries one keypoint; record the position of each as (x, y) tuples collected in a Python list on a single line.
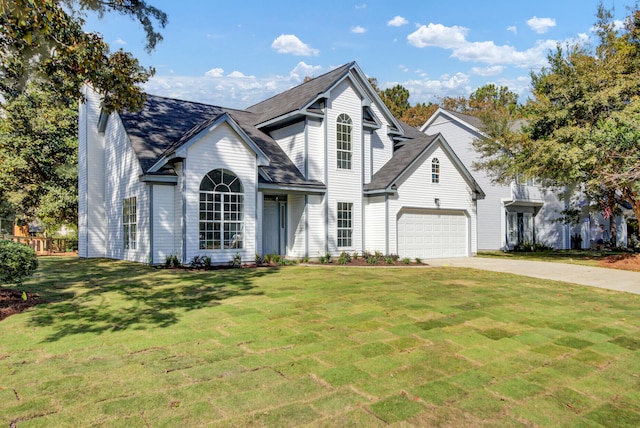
[(38, 152)]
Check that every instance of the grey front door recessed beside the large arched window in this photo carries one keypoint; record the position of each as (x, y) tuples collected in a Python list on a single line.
[(274, 225)]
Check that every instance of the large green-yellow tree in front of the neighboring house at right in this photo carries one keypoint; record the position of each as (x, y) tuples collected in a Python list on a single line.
[(582, 120)]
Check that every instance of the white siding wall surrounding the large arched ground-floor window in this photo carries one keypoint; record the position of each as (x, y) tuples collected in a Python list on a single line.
[(220, 148)]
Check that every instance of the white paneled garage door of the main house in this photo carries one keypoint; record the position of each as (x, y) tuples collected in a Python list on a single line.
[(433, 234)]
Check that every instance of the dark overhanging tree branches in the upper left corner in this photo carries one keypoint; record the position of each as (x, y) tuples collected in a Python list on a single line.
[(43, 40)]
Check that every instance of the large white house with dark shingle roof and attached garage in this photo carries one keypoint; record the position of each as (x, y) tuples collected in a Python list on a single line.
[(321, 168)]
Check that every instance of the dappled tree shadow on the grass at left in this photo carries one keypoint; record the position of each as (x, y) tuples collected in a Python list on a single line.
[(96, 296)]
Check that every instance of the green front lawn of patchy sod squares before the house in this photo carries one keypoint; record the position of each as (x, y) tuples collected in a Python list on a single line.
[(123, 344)]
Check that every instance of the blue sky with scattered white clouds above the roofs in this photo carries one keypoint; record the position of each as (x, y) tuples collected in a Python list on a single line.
[(237, 53)]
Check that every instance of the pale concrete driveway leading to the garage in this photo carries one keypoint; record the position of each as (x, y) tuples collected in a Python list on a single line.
[(612, 279)]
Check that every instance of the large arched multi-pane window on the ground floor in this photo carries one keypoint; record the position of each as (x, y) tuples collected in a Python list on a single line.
[(221, 210)]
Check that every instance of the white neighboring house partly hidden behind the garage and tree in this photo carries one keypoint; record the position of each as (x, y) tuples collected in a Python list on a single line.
[(517, 214)]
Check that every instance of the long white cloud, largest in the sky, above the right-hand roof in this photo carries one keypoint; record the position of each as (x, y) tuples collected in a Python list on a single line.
[(454, 38)]
